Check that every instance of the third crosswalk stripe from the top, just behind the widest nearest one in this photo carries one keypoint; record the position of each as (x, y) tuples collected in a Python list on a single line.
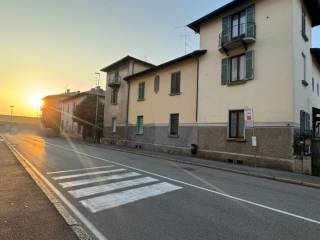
[(84, 192)]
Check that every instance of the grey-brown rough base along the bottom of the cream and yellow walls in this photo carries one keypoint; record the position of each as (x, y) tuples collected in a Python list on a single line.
[(274, 150)]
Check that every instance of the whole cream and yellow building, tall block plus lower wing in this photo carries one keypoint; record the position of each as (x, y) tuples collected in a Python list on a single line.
[(251, 95)]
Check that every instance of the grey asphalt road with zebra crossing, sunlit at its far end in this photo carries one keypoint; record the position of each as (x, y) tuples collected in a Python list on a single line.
[(125, 196)]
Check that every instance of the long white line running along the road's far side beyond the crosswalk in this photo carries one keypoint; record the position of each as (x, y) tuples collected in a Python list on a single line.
[(195, 186)]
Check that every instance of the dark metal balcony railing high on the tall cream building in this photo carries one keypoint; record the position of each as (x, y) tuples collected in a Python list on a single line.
[(236, 32)]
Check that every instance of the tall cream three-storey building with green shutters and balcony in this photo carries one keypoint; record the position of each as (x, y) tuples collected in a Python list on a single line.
[(262, 61)]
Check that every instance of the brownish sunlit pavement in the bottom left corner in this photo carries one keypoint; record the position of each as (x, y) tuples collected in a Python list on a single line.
[(25, 211)]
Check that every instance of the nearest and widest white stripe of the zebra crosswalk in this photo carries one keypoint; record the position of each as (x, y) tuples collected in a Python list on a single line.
[(120, 198)]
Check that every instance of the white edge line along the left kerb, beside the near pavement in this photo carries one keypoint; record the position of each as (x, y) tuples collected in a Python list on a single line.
[(72, 208)]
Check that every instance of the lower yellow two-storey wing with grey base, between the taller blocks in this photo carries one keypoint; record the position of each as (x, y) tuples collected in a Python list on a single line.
[(163, 105)]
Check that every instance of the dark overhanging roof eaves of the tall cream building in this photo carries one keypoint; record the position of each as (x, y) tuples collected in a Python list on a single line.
[(313, 7)]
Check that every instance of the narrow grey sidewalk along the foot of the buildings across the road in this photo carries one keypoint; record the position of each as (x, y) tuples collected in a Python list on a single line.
[(277, 175)]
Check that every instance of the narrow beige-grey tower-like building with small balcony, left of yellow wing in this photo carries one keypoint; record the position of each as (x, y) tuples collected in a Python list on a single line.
[(117, 90)]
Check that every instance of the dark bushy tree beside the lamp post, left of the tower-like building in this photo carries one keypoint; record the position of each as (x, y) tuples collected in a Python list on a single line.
[(85, 115)]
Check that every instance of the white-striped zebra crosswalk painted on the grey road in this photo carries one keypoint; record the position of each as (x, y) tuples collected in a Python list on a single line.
[(113, 187)]
